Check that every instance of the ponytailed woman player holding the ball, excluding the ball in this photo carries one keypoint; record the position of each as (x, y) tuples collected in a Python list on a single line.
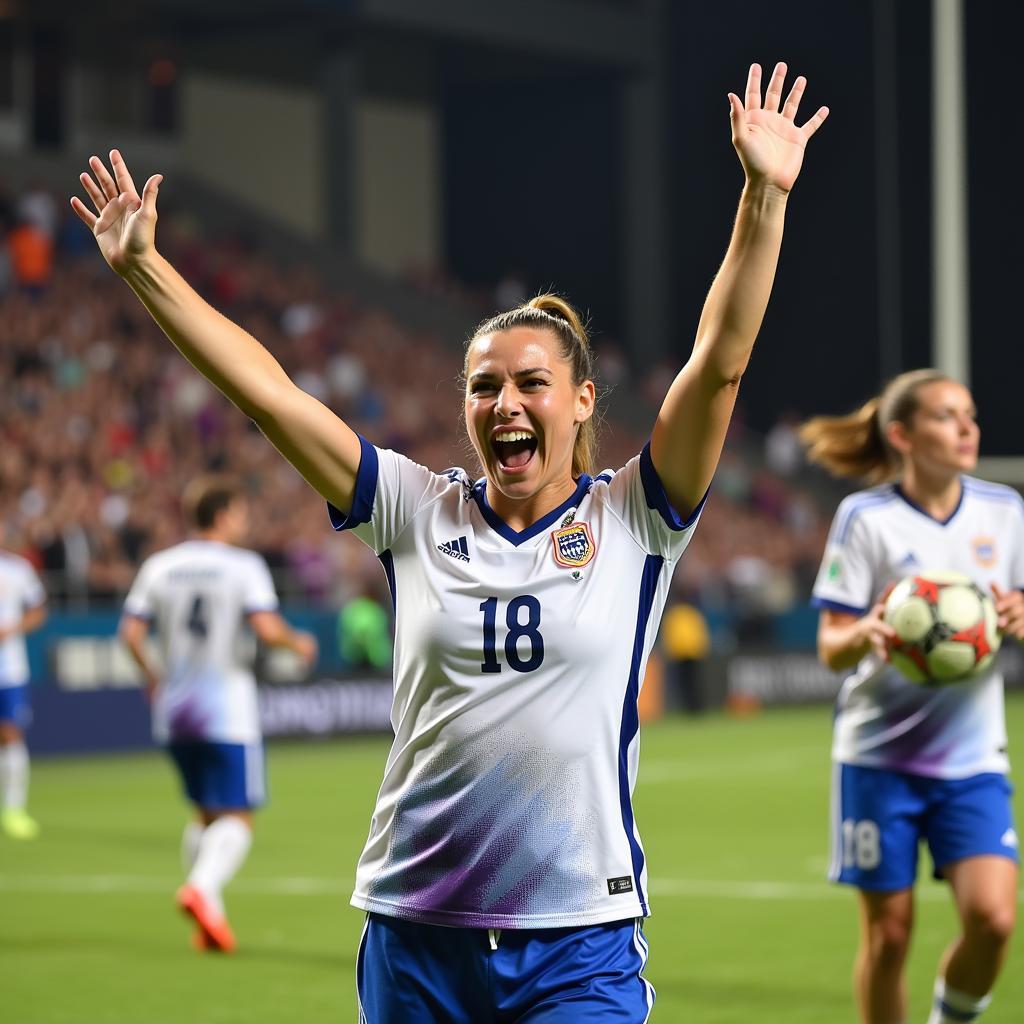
[(918, 762)]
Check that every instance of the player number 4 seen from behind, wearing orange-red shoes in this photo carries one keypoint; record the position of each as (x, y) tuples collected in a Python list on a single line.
[(199, 595)]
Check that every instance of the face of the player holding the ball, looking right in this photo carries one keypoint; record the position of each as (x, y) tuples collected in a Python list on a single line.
[(943, 437)]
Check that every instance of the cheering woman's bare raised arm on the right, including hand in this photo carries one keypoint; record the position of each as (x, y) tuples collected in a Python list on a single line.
[(691, 430)]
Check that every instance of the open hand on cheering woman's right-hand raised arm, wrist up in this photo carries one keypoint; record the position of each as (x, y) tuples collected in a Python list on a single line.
[(767, 140)]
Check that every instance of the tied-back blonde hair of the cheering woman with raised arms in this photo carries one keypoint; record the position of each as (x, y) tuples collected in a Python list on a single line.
[(554, 314)]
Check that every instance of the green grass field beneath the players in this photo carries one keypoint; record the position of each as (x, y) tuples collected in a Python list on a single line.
[(734, 816)]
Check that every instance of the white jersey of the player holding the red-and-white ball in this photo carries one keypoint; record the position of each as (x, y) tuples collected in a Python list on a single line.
[(883, 720)]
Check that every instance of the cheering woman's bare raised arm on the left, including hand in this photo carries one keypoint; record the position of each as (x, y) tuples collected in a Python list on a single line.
[(313, 439)]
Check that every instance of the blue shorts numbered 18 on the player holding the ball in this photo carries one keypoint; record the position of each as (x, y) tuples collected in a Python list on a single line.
[(880, 817)]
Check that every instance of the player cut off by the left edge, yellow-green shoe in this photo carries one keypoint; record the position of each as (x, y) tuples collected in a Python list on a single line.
[(23, 609)]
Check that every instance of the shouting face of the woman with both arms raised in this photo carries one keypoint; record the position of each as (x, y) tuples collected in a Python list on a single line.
[(524, 411)]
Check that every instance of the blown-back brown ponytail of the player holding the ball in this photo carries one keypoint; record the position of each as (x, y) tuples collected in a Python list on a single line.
[(856, 445)]
